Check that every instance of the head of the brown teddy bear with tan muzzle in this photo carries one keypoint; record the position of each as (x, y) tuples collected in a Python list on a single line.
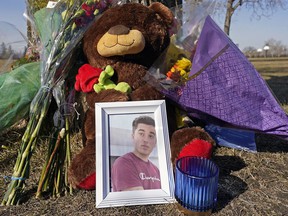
[(128, 33)]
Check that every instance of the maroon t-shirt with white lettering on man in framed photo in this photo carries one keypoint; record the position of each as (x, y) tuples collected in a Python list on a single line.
[(130, 171)]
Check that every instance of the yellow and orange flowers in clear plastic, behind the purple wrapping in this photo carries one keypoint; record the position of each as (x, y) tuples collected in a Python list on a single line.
[(171, 70)]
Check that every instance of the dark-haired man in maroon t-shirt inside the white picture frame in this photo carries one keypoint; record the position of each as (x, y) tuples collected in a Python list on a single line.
[(134, 170)]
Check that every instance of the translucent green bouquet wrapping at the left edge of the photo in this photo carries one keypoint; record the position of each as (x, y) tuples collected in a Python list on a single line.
[(17, 90)]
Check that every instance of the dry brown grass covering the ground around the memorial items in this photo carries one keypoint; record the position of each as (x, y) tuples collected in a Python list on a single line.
[(249, 184)]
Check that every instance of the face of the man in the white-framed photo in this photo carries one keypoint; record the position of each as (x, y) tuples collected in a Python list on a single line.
[(144, 138)]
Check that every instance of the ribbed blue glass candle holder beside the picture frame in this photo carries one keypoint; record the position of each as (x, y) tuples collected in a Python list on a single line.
[(196, 183)]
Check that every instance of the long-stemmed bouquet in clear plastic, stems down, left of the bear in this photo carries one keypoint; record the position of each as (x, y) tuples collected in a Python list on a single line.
[(66, 23)]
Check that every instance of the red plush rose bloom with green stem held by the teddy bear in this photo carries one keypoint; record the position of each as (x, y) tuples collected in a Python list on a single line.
[(87, 76)]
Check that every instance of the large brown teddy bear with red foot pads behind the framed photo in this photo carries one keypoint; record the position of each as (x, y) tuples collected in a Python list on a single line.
[(120, 47)]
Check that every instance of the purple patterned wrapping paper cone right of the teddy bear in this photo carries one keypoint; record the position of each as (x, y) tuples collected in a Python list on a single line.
[(229, 88)]
